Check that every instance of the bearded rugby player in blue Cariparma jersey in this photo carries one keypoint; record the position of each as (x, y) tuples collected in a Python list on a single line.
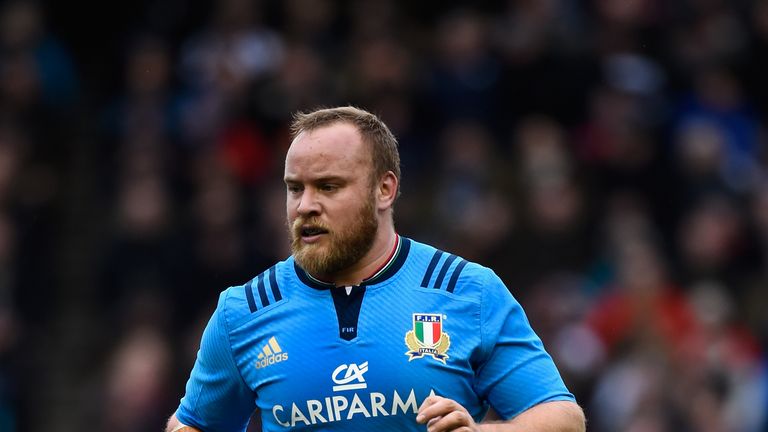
[(362, 329)]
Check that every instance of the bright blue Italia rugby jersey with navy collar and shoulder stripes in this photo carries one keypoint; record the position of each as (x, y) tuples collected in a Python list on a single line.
[(313, 356)]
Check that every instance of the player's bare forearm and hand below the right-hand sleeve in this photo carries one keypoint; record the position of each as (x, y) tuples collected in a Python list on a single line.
[(443, 415)]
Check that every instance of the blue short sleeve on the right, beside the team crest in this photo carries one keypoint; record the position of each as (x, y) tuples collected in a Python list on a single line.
[(516, 372)]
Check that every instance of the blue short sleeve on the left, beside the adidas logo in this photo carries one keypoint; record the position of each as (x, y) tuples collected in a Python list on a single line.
[(217, 399)]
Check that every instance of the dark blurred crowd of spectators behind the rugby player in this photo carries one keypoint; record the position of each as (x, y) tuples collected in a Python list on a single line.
[(607, 158)]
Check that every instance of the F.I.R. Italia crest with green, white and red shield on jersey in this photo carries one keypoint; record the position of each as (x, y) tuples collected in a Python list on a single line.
[(427, 338)]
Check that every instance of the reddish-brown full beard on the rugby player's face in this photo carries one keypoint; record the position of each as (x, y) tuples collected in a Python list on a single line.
[(341, 250)]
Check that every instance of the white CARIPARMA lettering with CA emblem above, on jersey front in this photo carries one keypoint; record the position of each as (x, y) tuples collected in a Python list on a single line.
[(346, 406)]
